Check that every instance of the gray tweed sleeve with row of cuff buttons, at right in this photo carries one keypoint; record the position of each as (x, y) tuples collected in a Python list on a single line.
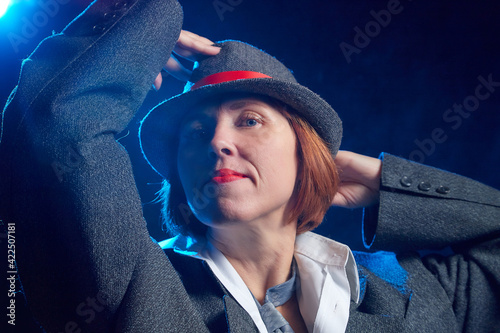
[(421, 207)]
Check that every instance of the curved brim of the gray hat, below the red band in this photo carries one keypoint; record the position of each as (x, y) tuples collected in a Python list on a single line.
[(159, 129)]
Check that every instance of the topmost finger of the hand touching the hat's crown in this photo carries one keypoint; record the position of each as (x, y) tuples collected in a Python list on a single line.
[(190, 45)]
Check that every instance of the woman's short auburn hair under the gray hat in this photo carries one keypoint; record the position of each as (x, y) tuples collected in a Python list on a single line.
[(316, 184)]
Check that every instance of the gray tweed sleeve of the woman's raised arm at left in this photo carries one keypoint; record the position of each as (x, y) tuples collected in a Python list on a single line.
[(84, 256)]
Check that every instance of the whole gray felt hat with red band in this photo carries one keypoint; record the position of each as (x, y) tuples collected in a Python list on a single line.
[(238, 68)]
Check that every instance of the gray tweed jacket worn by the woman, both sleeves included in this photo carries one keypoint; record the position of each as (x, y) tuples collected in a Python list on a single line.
[(68, 187)]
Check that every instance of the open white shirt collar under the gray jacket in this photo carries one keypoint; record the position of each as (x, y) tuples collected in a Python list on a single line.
[(327, 279)]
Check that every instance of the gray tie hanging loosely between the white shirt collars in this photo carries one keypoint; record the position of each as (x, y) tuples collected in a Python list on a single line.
[(276, 296)]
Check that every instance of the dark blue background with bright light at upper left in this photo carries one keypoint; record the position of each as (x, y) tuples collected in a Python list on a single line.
[(392, 94)]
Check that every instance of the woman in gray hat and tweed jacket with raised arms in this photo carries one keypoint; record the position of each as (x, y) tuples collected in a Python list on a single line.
[(241, 146)]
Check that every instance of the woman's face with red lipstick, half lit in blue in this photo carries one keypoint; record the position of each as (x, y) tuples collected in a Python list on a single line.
[(237, 162)]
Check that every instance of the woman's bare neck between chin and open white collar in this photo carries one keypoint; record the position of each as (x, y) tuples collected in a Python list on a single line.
[(261, 256)]
